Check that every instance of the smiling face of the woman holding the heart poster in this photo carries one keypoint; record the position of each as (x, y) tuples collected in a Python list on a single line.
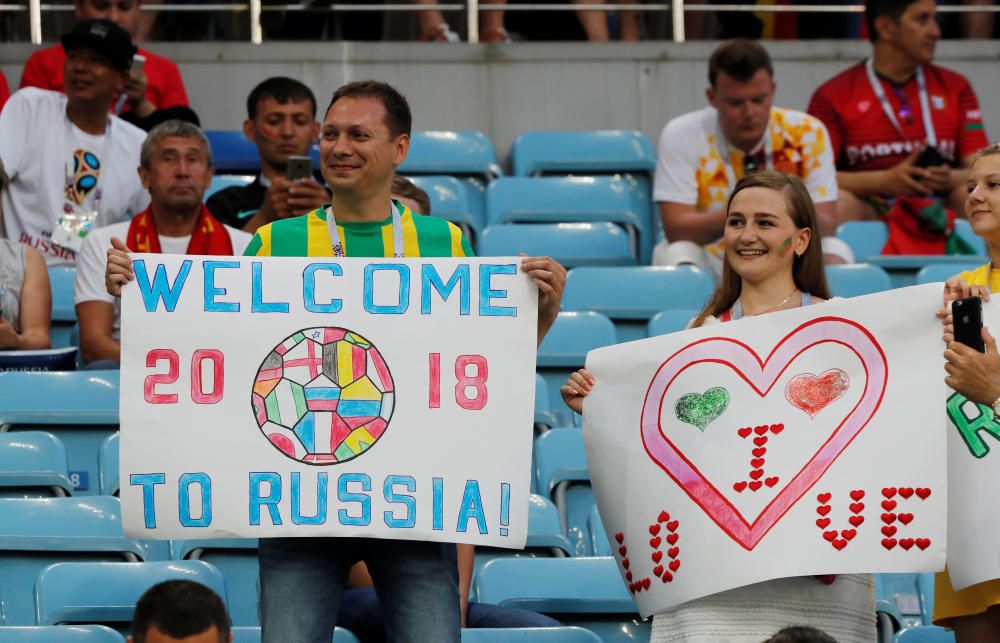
[(761, 239)]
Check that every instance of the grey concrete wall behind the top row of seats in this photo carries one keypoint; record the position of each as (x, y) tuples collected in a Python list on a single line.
[(505, 90)]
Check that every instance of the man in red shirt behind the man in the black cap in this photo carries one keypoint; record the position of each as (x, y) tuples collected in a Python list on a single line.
[(156, 87)]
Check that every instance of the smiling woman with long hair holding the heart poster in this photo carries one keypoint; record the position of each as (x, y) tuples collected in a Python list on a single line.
[(773, 262)]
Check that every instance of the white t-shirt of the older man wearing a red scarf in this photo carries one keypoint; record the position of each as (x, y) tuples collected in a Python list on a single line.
[(93, 258)]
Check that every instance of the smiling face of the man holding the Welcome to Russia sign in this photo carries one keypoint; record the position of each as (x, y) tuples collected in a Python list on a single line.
[(358, 152)]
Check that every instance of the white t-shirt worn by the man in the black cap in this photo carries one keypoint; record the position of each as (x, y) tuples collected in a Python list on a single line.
[(37, 150)]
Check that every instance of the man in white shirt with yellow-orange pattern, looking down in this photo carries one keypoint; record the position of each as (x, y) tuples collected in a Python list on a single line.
[(704, 153)]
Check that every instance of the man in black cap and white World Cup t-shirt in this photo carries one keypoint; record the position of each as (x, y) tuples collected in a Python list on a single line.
[(68, 166)]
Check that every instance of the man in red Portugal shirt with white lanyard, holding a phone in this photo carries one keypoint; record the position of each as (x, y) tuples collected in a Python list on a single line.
[(883, 113)]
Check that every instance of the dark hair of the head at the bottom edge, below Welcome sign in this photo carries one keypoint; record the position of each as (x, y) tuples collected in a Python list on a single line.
[(179, 608)]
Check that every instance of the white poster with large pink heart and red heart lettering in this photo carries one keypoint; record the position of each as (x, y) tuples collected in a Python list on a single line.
[(804, 442)]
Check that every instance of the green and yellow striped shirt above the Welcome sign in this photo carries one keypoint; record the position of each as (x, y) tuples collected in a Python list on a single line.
[(307, 236)]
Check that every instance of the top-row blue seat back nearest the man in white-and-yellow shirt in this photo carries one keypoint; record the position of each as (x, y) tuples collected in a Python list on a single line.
[(583, 152)]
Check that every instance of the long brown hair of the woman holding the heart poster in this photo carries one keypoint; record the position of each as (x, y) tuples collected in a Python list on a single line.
[(807, 269)]
